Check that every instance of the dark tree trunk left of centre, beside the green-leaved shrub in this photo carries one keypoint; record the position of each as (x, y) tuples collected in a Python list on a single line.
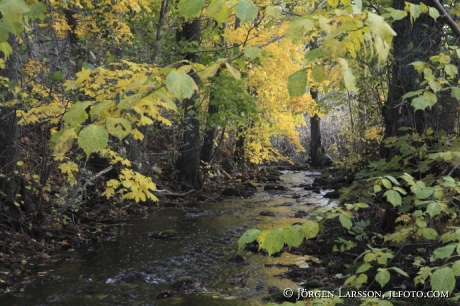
[(188, 162)]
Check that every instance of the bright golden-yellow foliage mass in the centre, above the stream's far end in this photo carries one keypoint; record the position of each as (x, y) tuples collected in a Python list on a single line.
[(281, 114)]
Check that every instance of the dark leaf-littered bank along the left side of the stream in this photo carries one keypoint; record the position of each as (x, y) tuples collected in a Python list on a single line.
[(54, 239)]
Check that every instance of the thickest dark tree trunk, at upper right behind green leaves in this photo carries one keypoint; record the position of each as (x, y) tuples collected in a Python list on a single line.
[(414, 42)]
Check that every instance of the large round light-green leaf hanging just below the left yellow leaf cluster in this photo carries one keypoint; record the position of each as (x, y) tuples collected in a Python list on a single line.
[(93, 138)]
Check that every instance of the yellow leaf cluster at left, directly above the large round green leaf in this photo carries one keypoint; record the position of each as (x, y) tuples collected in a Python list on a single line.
[(128, 84)]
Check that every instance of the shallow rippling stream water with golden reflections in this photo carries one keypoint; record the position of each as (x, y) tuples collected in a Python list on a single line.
[(134, 269)]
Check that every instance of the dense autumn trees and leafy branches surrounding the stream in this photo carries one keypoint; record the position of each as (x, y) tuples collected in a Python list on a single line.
[(102, 101)]
